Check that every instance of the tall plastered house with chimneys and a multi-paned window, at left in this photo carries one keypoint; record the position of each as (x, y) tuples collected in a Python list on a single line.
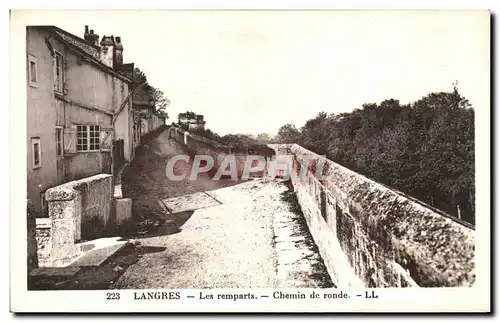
[(79, 110)]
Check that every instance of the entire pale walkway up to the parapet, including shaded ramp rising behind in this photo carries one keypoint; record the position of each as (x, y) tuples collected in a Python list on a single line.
[(220, 233)]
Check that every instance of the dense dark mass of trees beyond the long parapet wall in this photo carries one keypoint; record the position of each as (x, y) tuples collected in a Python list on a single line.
[(425, 149)]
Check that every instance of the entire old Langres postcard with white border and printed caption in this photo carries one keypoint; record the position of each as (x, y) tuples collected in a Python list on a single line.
[(250, 161)]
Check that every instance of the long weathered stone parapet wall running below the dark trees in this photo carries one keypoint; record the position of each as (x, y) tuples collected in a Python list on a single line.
[(371, 235)]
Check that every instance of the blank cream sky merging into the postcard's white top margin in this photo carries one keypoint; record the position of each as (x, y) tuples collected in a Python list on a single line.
[(253, 71)]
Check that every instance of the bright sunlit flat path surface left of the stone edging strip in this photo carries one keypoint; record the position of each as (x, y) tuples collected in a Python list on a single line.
[(228, 245)]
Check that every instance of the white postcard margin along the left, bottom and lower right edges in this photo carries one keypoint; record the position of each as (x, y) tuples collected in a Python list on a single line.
[(476, 298)]
